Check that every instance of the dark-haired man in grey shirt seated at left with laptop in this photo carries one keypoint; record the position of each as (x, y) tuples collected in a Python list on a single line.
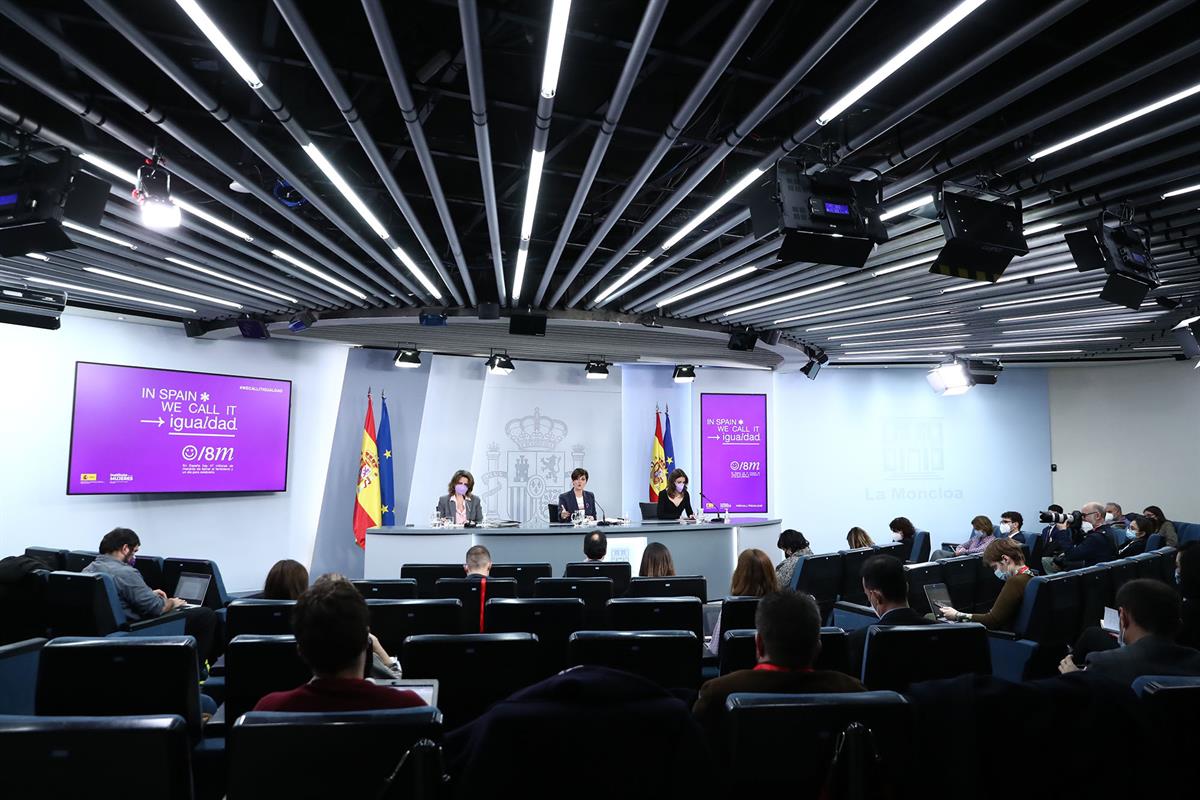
[(118, 554)]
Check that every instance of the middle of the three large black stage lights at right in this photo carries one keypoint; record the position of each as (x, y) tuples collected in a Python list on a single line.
[(983, 233)]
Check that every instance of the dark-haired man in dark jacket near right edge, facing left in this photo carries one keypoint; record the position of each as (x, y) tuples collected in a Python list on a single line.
[(1149, 618)]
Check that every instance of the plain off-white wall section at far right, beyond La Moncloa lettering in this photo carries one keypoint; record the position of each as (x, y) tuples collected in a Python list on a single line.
[(1127, 434)]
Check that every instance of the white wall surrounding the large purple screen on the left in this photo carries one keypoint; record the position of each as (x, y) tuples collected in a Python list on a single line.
[(244, 534)]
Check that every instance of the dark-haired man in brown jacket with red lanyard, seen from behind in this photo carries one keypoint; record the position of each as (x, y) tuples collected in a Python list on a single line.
[(788, 641)]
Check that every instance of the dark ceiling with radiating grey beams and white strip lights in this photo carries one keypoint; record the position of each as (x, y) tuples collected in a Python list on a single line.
[(374, 160)]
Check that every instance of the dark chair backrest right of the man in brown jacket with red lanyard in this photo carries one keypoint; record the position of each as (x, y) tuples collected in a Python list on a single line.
[(899, 655)]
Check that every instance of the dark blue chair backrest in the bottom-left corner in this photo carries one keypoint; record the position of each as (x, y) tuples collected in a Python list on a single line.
[(39, 753)]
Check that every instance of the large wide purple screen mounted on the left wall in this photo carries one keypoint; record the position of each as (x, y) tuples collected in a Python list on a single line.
[(136, 430)]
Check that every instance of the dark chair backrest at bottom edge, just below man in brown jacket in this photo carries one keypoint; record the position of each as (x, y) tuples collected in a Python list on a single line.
[(803, 731)]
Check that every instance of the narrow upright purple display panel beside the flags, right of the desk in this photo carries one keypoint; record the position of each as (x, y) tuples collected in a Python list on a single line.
[(734, 453)]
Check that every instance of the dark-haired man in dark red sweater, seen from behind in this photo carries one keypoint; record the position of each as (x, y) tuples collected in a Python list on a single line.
[(331, 624)]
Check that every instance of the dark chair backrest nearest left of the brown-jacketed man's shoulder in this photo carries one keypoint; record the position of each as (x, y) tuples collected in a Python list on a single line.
[(671, 659)]
